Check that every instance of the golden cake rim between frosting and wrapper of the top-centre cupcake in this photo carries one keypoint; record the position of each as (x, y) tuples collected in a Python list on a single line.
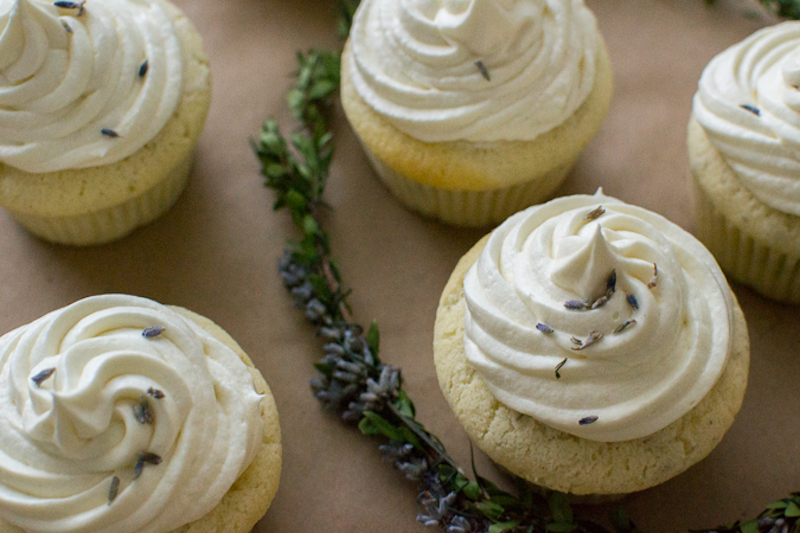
[(464, 165)]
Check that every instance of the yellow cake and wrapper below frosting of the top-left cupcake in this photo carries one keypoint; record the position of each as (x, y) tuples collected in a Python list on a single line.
[(39, 199)]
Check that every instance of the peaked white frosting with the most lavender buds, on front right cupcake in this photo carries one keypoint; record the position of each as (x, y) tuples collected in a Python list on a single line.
[(627, 384)]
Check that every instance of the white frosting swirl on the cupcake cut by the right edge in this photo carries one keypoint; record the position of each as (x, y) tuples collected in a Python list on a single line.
[(748, 102)]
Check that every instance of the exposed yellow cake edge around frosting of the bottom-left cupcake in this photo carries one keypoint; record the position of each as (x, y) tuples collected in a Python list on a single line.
[(251, 494)]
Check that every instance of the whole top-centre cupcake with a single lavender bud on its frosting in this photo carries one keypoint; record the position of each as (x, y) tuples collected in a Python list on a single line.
[(471, 110)]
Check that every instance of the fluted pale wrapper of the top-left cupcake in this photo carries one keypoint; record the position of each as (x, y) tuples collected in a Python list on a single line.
[(106, 225)]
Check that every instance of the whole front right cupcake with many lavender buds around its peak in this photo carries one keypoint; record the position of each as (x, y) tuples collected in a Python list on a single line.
[(591, 347)]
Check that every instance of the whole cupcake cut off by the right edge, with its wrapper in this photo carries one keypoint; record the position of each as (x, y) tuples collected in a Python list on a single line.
[(744, 150)]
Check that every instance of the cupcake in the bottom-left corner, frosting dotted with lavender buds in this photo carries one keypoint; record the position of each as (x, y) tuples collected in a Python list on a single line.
[(121, 415)]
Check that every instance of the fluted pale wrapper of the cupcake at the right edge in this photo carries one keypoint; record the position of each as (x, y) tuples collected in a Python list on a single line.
[(773, 273)]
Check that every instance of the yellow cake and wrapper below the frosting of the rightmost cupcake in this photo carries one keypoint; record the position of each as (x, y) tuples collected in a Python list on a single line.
[(754, 243)]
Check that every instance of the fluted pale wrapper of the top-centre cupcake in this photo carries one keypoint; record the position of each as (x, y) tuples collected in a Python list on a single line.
[(468, 208)]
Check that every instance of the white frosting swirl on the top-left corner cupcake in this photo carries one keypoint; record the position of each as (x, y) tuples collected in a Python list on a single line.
[(84, 84)]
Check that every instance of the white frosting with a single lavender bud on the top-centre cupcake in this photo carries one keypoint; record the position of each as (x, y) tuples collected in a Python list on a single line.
[(479, 70)]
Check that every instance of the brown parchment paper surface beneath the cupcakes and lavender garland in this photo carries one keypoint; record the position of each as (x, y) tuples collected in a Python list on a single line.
[(216, 252)]
